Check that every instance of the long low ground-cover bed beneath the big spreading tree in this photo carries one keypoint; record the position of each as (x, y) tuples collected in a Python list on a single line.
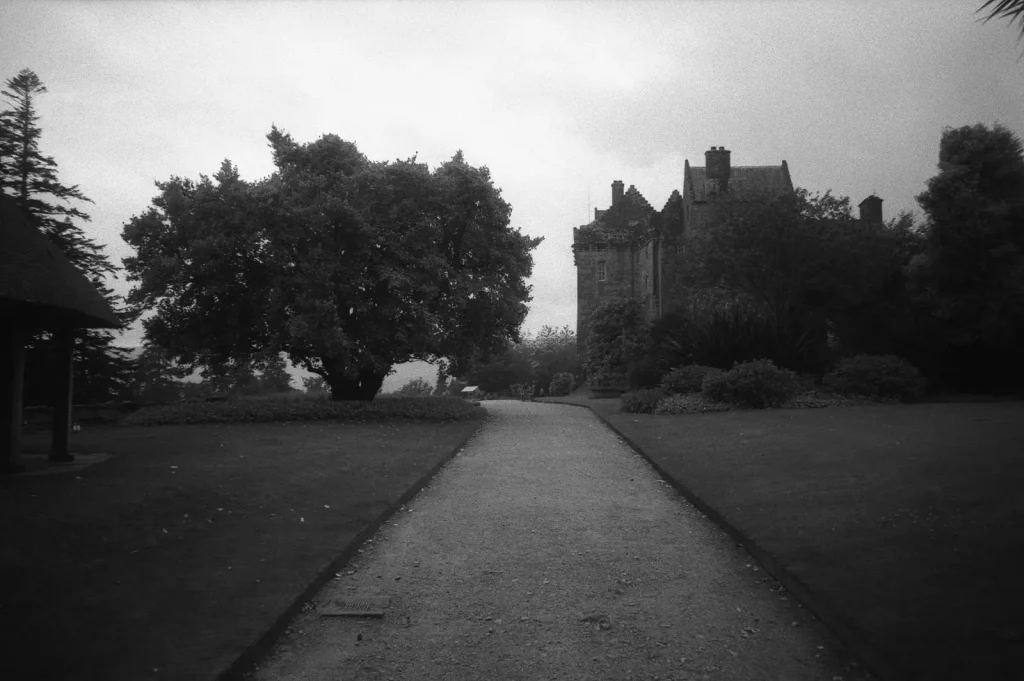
[(266, 411)]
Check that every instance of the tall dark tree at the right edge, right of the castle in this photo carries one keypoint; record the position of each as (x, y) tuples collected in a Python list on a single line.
[(971, 274)]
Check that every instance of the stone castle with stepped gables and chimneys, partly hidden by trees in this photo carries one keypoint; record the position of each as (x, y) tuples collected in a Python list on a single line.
[(629, 250)]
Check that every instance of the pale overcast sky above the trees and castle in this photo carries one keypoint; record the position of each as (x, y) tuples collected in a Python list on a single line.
[(558, 99)]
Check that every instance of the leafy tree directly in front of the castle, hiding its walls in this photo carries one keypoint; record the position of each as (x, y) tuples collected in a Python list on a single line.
[(767, 257)]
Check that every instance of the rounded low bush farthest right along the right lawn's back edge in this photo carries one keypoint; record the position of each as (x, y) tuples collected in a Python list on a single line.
[(876, 376)]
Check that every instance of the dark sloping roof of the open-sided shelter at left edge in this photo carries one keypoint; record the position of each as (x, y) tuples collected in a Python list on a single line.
[(36, 276)]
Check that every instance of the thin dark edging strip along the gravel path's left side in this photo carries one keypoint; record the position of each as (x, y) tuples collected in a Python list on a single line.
[(246, 664)]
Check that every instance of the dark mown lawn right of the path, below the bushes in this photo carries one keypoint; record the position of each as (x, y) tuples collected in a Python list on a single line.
[(908, 522)]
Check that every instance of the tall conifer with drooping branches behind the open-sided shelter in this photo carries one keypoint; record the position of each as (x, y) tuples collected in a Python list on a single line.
[(102, 370)]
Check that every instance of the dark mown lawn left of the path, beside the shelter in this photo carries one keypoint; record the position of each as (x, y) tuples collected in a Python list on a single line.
[(170, 559)]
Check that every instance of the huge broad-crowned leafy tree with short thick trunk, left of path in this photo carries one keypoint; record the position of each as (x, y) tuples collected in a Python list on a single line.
[(348, 266)]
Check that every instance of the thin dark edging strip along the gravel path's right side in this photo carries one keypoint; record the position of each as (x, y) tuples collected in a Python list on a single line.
[(818, 607)]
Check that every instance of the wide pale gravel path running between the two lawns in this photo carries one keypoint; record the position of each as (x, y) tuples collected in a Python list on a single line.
[(548, 549)]
